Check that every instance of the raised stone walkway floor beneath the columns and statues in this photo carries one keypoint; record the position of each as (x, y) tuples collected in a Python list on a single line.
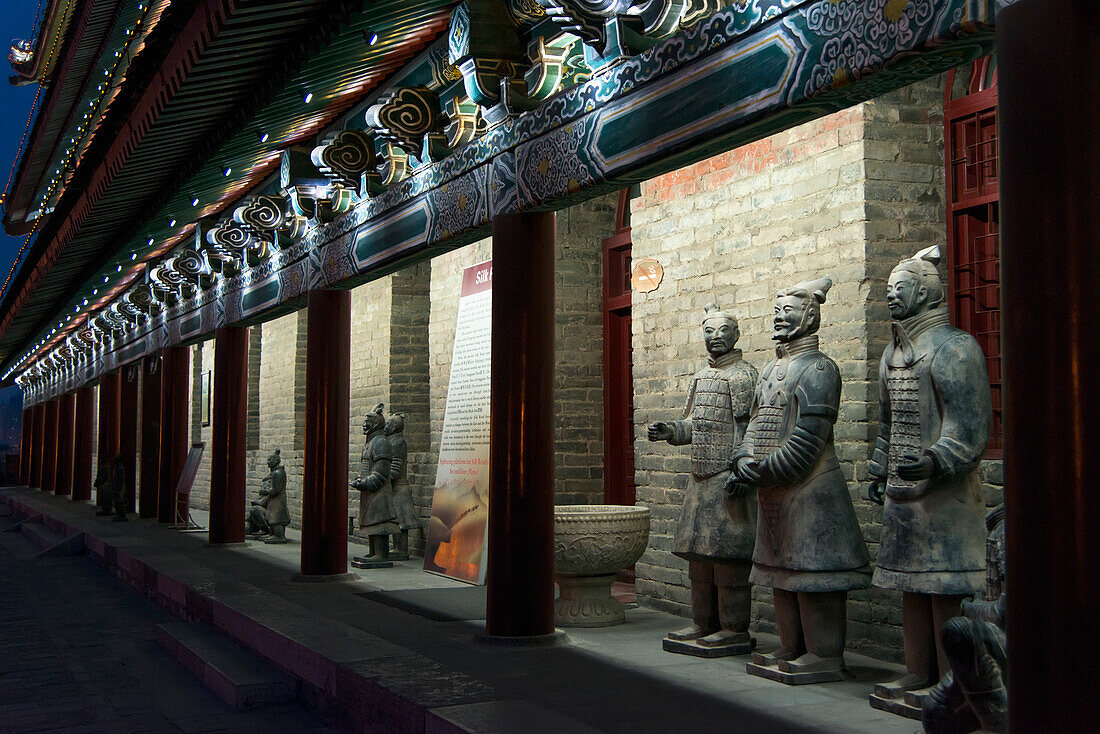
[(395, 672)]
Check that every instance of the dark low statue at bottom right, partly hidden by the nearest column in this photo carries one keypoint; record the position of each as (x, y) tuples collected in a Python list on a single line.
[(974, 695)]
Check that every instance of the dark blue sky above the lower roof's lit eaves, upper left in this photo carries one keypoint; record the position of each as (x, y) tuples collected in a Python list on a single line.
[(15, 108)]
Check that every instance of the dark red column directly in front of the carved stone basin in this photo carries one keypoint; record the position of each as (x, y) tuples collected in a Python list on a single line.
[(521, 517)]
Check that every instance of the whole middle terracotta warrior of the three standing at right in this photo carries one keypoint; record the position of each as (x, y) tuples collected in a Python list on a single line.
[(809, 545)]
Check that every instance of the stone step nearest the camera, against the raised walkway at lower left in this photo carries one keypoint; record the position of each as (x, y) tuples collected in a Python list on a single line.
[(238, 677)]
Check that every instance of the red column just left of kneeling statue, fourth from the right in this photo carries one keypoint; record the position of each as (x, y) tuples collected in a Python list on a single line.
[(228, 445)]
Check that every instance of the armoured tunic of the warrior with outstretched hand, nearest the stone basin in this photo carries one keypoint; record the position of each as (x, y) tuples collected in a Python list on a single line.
[(714, 527)]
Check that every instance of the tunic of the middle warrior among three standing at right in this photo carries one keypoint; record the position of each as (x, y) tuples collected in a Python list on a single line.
[(808, 536)]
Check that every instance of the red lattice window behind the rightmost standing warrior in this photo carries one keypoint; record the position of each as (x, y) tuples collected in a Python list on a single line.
[(974, 221)]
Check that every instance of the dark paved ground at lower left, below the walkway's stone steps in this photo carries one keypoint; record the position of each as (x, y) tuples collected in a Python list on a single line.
[(78, 654)]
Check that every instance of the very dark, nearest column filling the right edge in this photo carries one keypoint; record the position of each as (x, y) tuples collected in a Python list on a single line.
[(1050, 93)]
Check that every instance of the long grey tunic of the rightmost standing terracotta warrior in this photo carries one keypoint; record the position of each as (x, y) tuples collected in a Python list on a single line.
[(934, 400)]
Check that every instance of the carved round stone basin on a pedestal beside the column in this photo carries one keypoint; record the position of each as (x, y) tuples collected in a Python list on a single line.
[(591, 545)]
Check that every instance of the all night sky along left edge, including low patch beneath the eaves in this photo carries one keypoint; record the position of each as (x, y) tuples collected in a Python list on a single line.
[(17, 23)]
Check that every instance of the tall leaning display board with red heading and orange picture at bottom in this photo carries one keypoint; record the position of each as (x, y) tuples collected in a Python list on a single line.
[(458, 532)]
